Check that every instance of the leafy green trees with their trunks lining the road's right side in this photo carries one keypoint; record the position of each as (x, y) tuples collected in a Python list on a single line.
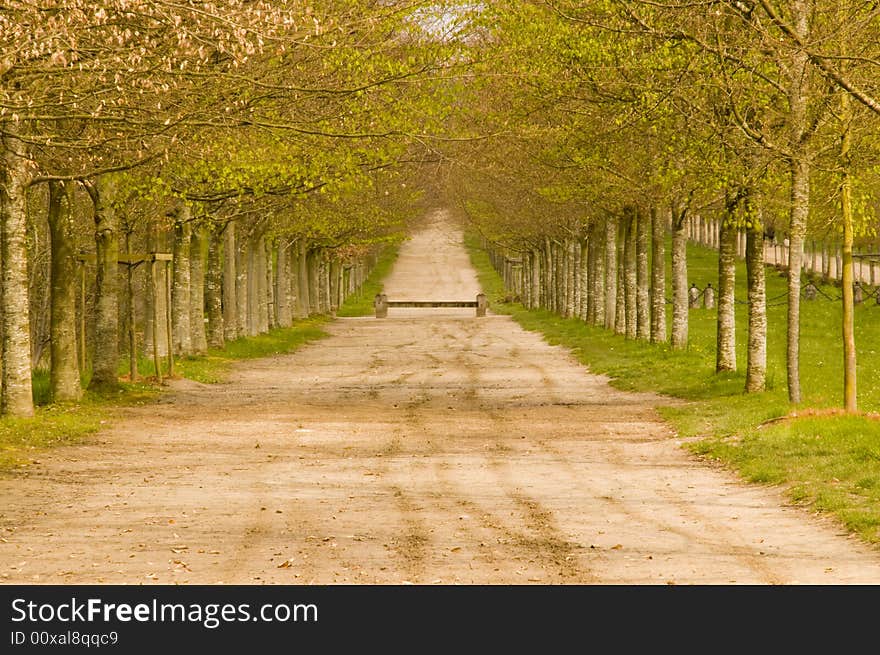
[(723, 114)]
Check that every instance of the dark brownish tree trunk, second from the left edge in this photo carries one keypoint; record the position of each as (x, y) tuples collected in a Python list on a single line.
[(64, 374)]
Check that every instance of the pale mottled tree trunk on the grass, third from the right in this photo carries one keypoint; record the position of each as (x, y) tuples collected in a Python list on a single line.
[(756, 364)]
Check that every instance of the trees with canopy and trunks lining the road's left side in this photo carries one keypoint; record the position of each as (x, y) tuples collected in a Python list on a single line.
[(238, 134)]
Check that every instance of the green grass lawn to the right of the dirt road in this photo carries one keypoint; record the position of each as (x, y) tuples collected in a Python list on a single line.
[(827, 461)]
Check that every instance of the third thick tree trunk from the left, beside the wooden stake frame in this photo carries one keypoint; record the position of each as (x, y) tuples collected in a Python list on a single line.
[(106, 353)]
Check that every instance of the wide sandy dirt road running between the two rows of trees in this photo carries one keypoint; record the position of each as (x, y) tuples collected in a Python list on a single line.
[(428, 447)]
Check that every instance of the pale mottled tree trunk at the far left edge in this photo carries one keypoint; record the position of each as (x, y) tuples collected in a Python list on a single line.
[(16, 391)]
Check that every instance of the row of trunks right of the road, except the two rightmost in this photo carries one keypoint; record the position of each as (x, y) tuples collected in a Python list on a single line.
[(614, 276)]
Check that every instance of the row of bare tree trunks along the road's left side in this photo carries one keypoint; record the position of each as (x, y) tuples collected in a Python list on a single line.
[(204, 297)]
